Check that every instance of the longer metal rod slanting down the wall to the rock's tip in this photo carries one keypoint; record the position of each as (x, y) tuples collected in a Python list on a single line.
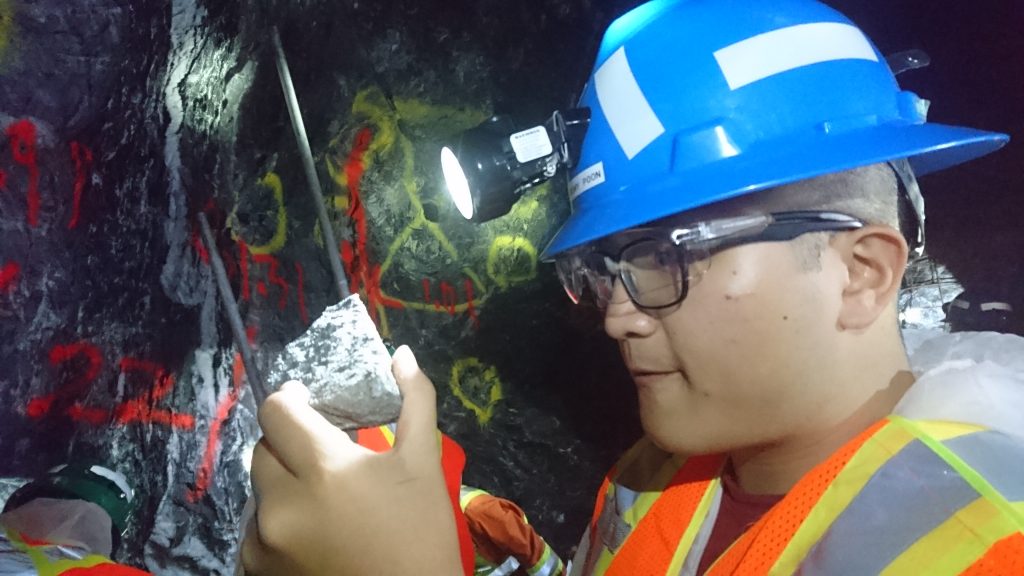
[(308, 163)]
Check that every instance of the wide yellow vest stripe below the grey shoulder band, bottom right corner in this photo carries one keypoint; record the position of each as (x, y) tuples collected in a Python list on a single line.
[(957, 544)]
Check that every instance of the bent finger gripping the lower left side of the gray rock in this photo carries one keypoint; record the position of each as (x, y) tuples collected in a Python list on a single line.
[(302, 437)]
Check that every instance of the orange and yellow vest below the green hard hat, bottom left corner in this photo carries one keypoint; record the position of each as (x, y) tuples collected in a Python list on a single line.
[(21, 555)]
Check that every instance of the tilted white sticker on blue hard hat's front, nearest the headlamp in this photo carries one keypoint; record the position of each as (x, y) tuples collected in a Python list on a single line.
[(625, 106)]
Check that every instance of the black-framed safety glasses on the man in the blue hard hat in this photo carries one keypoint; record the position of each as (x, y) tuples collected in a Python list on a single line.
[(707, 237)]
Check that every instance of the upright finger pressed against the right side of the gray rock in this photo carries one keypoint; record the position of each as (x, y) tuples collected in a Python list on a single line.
[(418, 420)]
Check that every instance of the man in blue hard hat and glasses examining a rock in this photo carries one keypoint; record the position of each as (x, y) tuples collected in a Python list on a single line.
[(744, 210)]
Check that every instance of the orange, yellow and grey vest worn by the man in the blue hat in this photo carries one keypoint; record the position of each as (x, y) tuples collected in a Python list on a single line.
[(904, 498)]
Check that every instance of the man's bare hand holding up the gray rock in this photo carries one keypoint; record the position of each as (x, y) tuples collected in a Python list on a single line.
[(327, 506)]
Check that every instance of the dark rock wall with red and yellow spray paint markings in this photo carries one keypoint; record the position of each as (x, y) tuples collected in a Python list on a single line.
[(120, 121)]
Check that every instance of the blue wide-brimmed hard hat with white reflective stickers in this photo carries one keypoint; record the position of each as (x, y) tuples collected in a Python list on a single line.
[(695, 102)]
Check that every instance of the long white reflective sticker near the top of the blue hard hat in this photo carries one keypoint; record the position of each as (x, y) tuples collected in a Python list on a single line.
[(789, 49)]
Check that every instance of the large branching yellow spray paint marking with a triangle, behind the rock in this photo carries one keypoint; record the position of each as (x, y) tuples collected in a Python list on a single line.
[(392, 146)]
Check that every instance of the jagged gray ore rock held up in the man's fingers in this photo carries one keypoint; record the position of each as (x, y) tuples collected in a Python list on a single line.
[(344, 362)]
